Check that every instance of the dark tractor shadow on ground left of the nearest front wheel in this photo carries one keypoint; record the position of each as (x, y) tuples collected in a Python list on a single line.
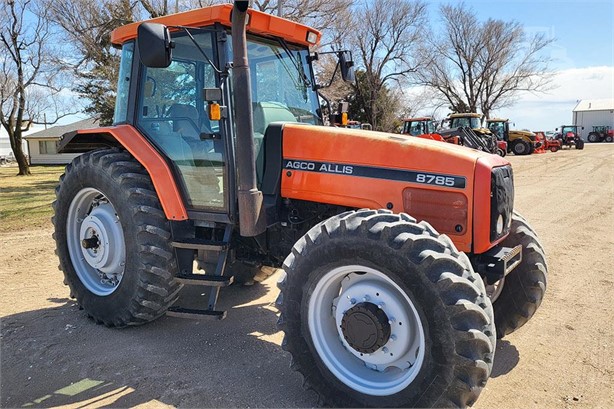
[(59, 357)]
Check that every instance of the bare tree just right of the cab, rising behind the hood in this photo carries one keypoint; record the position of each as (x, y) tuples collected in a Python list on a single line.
[(385, 36)]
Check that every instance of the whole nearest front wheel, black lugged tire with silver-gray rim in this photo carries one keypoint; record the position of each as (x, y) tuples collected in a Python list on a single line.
[(379, 310)]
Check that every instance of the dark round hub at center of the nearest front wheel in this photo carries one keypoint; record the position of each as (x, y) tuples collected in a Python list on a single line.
[(365, 327)]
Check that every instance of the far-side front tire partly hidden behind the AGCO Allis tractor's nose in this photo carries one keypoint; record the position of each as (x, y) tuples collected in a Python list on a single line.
[(517, 297)]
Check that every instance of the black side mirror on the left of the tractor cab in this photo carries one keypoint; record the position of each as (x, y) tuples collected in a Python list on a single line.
[(154, 44)]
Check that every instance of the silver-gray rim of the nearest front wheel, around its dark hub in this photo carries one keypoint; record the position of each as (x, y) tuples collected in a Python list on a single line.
[(393, 366)]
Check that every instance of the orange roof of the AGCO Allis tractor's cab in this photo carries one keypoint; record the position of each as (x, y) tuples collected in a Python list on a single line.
[(258, 23)]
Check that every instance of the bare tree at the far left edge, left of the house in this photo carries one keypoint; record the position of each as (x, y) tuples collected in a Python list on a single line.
[(27, 82)]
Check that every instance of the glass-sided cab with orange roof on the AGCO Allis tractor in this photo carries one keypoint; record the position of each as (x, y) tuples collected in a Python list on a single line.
[(176, 89)]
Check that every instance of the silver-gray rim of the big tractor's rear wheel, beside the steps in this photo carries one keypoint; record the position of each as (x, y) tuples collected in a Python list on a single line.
[(100, 263)]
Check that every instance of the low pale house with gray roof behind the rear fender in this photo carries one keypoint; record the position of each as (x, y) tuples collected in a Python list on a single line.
[(42, 145)]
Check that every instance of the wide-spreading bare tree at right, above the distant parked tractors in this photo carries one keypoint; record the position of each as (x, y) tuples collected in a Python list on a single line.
[(474, 65)]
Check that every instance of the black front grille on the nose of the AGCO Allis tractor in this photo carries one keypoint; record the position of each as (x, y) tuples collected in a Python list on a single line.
[(501, 200)]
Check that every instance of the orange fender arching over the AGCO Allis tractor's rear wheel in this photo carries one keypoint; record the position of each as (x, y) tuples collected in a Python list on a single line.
[(129, 138)]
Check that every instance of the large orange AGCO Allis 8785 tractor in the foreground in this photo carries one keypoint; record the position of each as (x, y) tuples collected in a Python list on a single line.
[(403, 259)]
